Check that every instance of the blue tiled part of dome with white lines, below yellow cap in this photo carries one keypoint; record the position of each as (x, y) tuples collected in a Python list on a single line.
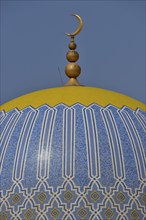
[(73, 162)]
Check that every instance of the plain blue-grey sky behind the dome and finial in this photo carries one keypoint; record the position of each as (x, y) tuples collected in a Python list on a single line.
[(111, 45)]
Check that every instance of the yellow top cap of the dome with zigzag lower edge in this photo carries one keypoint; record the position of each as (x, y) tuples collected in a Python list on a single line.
[(72, 95)]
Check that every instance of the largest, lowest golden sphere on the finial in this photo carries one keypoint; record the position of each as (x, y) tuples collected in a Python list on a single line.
[(72, 70)]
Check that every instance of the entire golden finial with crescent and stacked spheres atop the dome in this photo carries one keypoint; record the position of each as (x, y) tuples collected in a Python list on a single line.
[(72, 69)]
